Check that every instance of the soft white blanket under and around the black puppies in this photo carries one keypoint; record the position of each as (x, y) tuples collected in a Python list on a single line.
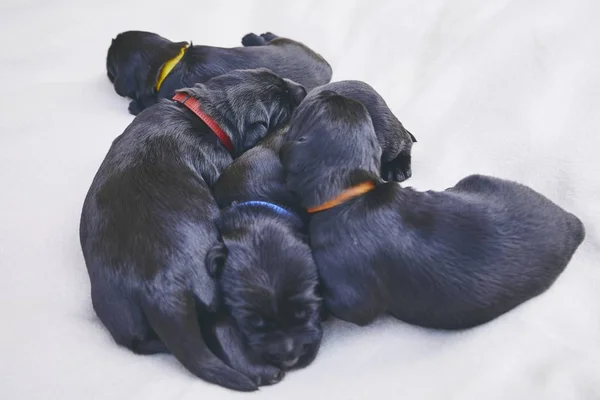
[(503, 87)]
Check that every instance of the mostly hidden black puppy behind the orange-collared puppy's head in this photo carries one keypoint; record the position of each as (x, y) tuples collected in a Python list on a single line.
[(395, 141)]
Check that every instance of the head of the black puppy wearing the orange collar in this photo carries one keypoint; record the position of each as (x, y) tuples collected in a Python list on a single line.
[(330, 146)]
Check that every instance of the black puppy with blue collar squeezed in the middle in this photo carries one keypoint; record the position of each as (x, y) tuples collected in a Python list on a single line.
[(263, 264)]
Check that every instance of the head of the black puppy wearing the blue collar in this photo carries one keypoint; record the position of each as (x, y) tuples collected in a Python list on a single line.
[(268, 281)]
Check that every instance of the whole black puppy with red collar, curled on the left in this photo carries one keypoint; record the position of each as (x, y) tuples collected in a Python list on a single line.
[(148, 218)]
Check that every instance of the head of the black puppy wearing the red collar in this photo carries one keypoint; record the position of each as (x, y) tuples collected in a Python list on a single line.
[(248, 103)]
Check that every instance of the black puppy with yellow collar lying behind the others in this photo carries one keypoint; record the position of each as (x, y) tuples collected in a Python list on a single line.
[(146, 67)]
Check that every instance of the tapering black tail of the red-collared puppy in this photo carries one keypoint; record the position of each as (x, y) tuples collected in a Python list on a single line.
[(180, 332)]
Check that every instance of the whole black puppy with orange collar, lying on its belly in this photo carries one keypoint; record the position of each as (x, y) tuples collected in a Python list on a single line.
[(449, 260)]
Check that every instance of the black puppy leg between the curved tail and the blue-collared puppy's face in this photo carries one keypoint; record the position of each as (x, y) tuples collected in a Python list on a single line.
[(226, 341)]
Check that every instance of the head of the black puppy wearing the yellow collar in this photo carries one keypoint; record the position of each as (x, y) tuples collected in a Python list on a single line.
[(134, 60)]
